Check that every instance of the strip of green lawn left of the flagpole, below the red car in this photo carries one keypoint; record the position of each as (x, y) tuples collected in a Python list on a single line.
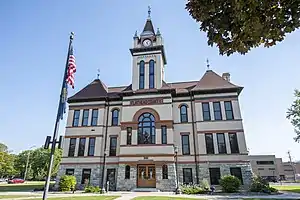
[(21, 187)]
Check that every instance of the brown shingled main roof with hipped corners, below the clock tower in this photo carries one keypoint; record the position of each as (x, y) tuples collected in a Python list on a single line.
[(210, 81)]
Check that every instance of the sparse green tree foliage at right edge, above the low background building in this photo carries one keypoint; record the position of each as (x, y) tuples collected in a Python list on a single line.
[(293, 114)]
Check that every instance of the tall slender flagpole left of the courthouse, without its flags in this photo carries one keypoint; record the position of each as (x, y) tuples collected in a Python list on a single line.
[(56, 128)]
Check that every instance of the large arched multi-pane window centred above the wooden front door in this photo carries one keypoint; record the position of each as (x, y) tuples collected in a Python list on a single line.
[(146, 129)]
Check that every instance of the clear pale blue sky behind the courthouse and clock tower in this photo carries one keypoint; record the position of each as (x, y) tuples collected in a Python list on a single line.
[(33, 47)]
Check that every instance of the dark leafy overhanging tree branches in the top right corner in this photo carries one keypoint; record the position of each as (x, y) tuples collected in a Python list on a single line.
[(239, 26)]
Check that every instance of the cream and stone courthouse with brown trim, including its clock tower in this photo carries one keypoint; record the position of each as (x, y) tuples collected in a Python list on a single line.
[(151, 132)]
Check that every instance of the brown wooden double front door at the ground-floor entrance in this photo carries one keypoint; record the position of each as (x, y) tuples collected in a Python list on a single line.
[(146, 176)]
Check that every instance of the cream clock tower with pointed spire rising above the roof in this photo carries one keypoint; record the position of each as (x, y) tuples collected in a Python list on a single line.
[(148, 58)]
